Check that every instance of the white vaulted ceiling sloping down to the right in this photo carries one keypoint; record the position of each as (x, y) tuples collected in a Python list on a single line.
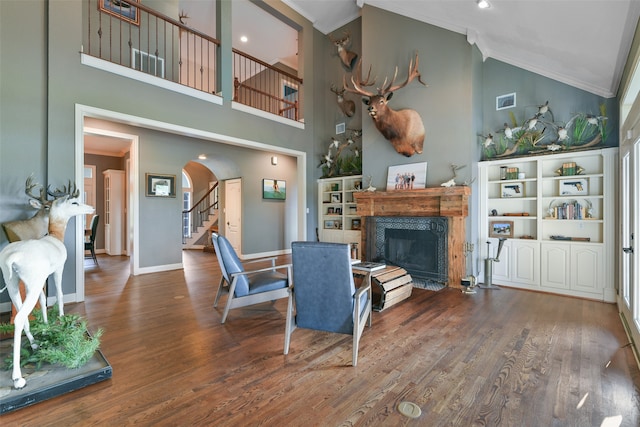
[(583, 43)]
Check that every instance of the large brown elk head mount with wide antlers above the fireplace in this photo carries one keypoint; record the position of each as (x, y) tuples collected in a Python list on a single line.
[(403, 128)]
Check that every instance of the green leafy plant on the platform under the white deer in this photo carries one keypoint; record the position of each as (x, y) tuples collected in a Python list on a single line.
[(64, 340)]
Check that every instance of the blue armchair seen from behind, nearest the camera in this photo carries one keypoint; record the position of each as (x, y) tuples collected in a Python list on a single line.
[(324, 295)]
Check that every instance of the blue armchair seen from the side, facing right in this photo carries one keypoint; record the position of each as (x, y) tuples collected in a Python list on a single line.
[(248, 287)]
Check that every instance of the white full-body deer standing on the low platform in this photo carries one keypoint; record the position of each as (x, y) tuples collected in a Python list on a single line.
[(32, 261)]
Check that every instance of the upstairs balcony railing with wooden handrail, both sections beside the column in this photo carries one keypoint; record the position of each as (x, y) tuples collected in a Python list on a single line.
[(136, 36)]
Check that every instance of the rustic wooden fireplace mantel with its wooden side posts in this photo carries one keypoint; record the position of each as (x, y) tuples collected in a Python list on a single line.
[(449, 202)]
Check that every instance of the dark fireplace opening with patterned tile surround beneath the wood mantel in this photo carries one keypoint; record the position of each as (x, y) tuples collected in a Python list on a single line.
[(417, 244)]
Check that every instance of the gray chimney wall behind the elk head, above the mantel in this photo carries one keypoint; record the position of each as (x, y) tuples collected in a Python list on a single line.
[(445, 105)]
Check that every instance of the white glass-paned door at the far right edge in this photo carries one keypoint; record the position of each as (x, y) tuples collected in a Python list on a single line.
[(629, 295)]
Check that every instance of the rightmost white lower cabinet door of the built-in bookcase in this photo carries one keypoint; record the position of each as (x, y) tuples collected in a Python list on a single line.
[(586, 268)]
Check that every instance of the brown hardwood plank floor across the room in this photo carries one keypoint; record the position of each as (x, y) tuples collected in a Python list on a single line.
[(497, 358)]
